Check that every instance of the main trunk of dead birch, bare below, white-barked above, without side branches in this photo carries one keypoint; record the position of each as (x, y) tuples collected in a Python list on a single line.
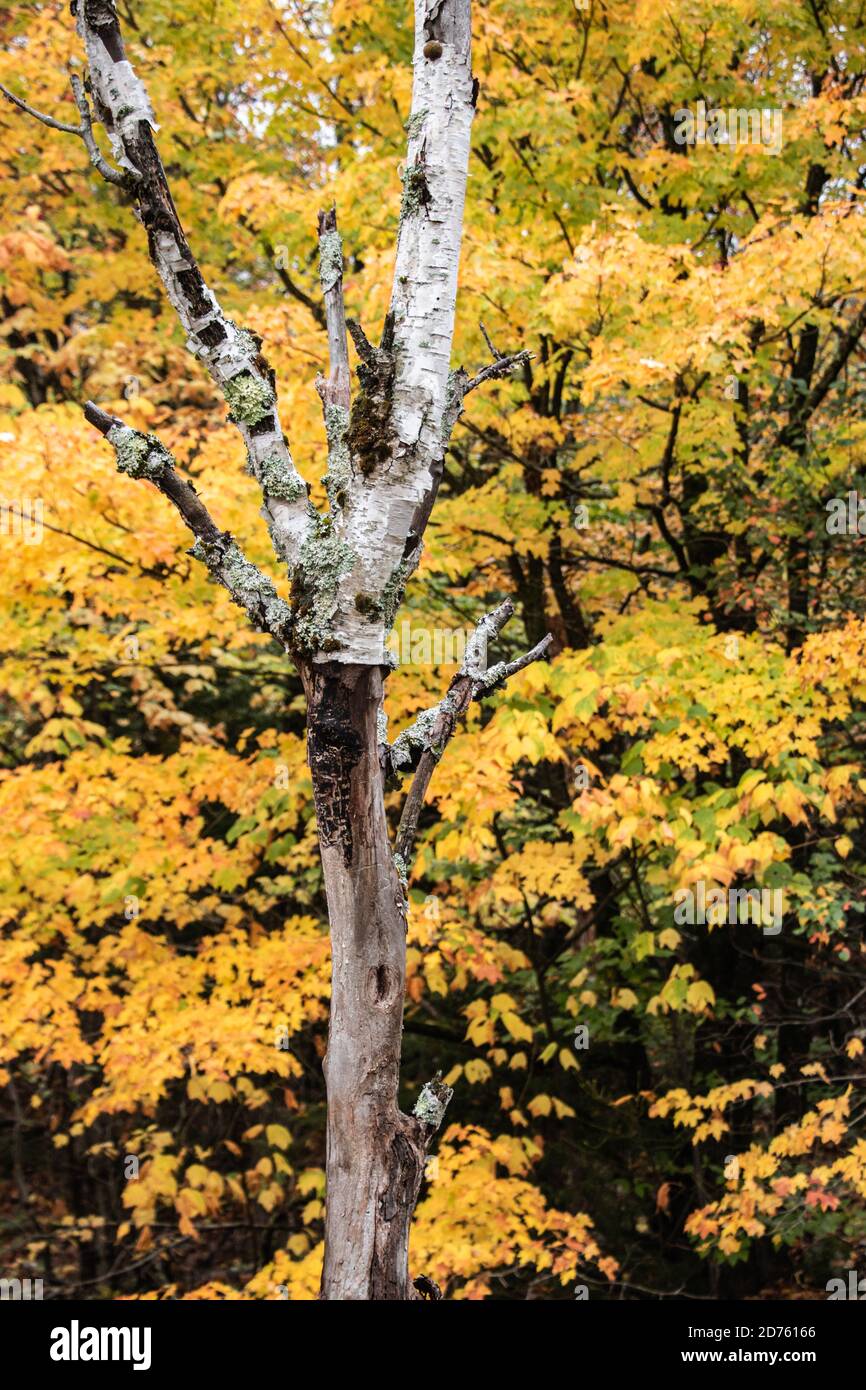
[(394, 440)]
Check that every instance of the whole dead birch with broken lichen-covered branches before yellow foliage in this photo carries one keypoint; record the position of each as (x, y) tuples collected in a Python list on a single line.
[(348, 572)]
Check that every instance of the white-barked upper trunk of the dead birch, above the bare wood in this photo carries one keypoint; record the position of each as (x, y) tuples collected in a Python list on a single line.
[(383, 521)]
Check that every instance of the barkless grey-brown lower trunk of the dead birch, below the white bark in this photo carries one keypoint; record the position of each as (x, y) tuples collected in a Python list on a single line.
[(376, 1156)]
